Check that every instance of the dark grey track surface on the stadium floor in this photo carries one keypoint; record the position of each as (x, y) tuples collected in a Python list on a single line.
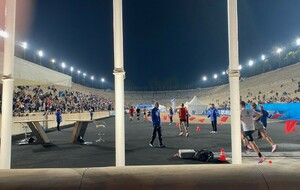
[(62, 154)]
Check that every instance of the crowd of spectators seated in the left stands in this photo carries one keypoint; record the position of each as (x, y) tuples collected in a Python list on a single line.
[(28, 99)]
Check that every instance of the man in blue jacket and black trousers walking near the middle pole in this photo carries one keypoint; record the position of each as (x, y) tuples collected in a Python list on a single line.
[(156, 122)]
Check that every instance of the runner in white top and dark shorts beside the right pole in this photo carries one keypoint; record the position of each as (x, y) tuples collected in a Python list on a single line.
[(249, 128)]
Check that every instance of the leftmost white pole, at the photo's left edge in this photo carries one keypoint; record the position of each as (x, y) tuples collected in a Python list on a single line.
[(8, 85)]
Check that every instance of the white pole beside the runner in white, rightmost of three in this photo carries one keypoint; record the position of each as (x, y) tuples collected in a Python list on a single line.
[(234, 83)]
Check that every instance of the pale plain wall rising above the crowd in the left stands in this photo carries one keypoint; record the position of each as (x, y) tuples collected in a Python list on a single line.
[(28, 73)]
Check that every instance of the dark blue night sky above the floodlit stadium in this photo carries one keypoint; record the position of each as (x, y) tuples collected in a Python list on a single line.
[(165, 41)]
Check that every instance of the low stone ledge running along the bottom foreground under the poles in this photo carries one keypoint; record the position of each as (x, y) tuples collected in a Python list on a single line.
[(156, 177)]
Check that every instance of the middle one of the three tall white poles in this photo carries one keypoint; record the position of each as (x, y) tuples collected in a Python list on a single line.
[(119, 83)]
